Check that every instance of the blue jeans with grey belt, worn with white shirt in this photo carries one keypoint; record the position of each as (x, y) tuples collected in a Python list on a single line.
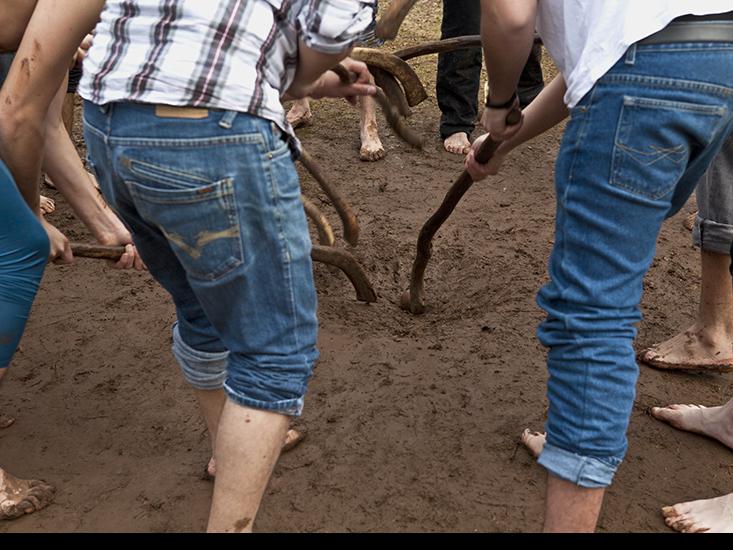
[(632, 152)]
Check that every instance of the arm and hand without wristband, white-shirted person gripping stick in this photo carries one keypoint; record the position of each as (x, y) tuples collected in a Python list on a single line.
[(547, 110)]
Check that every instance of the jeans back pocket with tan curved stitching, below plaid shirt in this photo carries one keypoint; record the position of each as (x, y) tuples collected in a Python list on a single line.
[(198, 218)]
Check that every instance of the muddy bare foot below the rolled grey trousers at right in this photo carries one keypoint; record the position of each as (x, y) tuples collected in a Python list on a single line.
[(695, 349)]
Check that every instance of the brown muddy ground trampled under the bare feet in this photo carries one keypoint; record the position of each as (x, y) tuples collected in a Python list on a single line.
[(412, 422)]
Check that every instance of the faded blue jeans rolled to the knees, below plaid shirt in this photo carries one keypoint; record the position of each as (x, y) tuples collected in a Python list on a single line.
[(214, 208)]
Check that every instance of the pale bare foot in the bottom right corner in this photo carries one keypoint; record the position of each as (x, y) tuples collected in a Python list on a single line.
[(714, 515)]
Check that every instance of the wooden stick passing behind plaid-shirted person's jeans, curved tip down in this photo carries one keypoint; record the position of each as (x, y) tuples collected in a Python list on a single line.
[(324, 254)]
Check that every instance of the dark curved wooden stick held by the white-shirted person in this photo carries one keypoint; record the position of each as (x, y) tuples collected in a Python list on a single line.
[(412, 299)]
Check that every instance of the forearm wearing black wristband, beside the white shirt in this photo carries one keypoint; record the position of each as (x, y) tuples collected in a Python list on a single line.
[(507, 35)]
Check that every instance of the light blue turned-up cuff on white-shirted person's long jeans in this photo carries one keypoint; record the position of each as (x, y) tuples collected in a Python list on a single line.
[(584, 471)]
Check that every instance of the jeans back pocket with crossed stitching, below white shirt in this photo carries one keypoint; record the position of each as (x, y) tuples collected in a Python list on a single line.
[(654, 142)]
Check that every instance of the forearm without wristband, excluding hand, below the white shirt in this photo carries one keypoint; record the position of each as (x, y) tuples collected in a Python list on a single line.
[(547, 110)]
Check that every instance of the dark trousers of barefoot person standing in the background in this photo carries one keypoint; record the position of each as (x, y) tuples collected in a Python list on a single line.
[(459, 72)]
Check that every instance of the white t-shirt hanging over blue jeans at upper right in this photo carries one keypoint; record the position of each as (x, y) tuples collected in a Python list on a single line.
[(587, 37)]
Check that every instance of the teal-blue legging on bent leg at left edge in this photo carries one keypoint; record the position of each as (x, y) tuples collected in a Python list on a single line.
[(24, 251)]
